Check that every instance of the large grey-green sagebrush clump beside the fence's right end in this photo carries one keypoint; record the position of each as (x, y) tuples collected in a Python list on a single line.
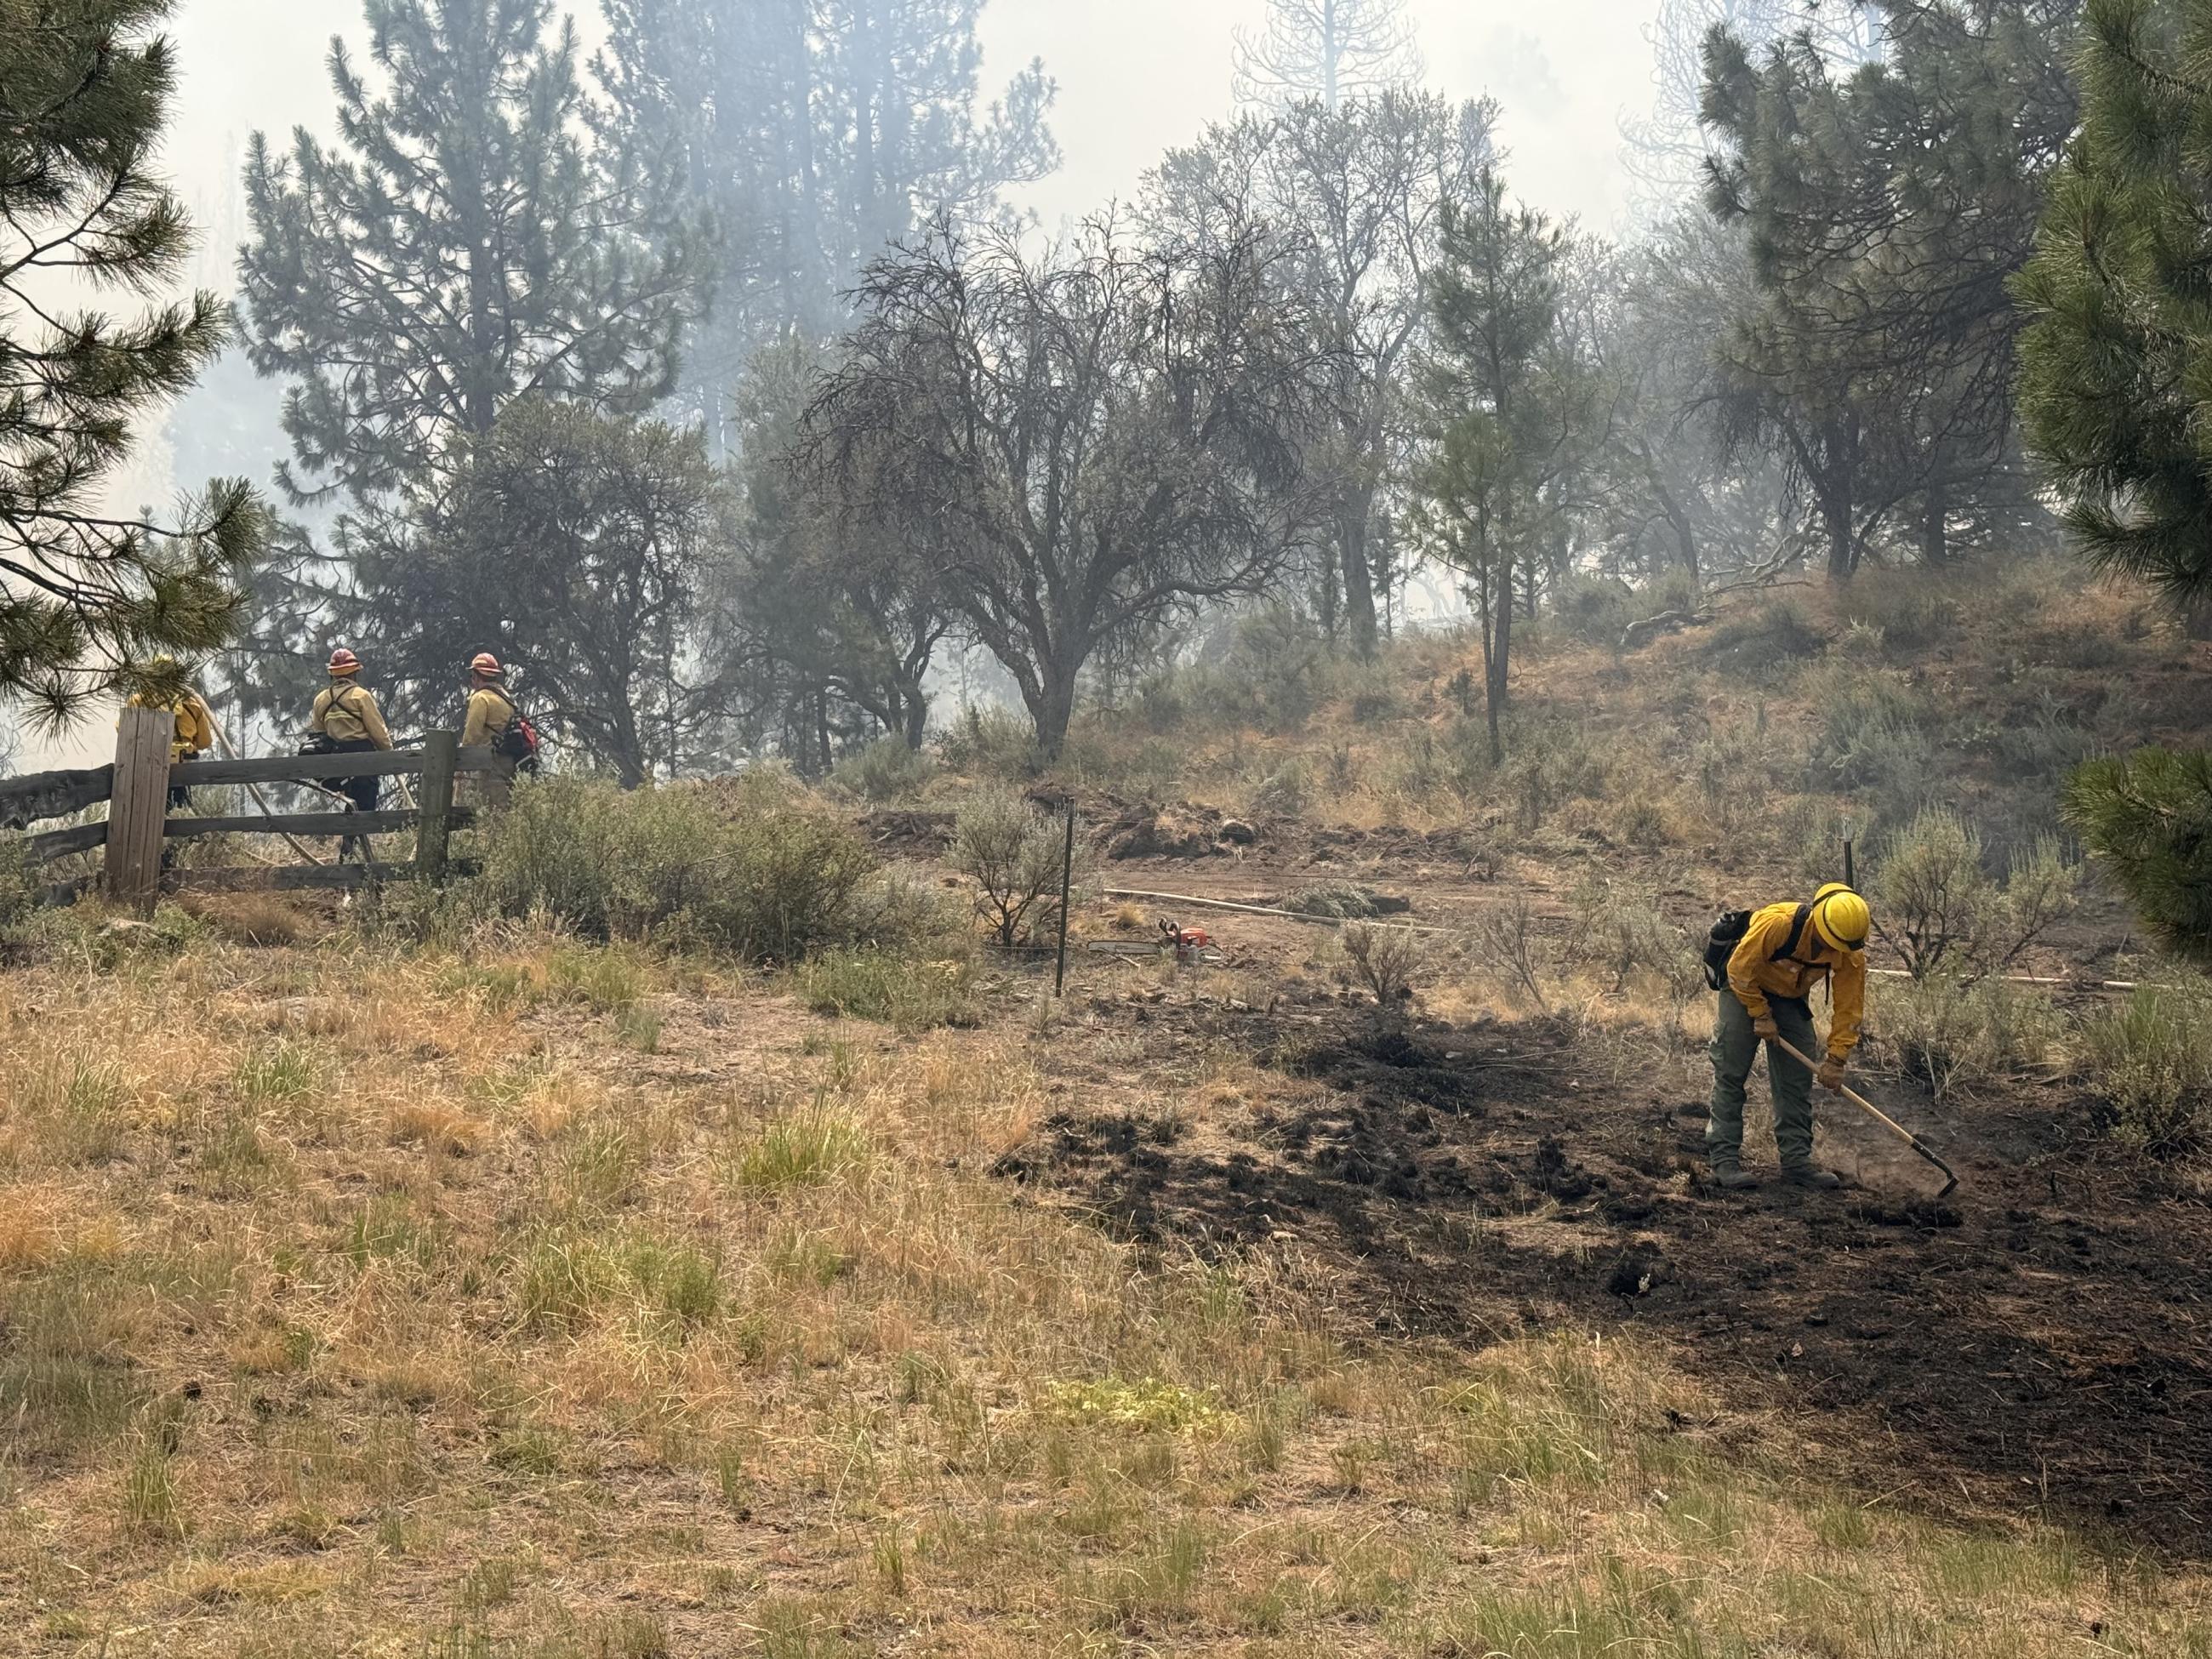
[(753, 868)]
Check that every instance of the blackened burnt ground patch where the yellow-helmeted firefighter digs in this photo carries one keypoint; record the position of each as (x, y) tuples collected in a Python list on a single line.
[(2041, 1342)]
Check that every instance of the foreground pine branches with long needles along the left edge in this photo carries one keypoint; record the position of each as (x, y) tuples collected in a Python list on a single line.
[(90, 601)]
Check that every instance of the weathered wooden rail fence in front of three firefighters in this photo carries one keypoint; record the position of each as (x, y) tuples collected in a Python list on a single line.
[(140, 780)]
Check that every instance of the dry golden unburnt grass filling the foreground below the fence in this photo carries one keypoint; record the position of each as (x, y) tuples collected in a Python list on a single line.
[(371, 1306)]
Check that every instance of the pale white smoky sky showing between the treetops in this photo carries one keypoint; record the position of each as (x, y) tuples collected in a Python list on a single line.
[(1136, 76)]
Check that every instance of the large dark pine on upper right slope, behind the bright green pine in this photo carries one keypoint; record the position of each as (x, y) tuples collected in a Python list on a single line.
[(1886, 213)]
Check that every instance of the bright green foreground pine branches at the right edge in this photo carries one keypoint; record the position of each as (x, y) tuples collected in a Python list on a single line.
[(2116, 404)]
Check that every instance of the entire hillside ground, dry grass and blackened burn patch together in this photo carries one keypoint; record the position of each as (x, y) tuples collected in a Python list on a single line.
[(441, 1280)]
